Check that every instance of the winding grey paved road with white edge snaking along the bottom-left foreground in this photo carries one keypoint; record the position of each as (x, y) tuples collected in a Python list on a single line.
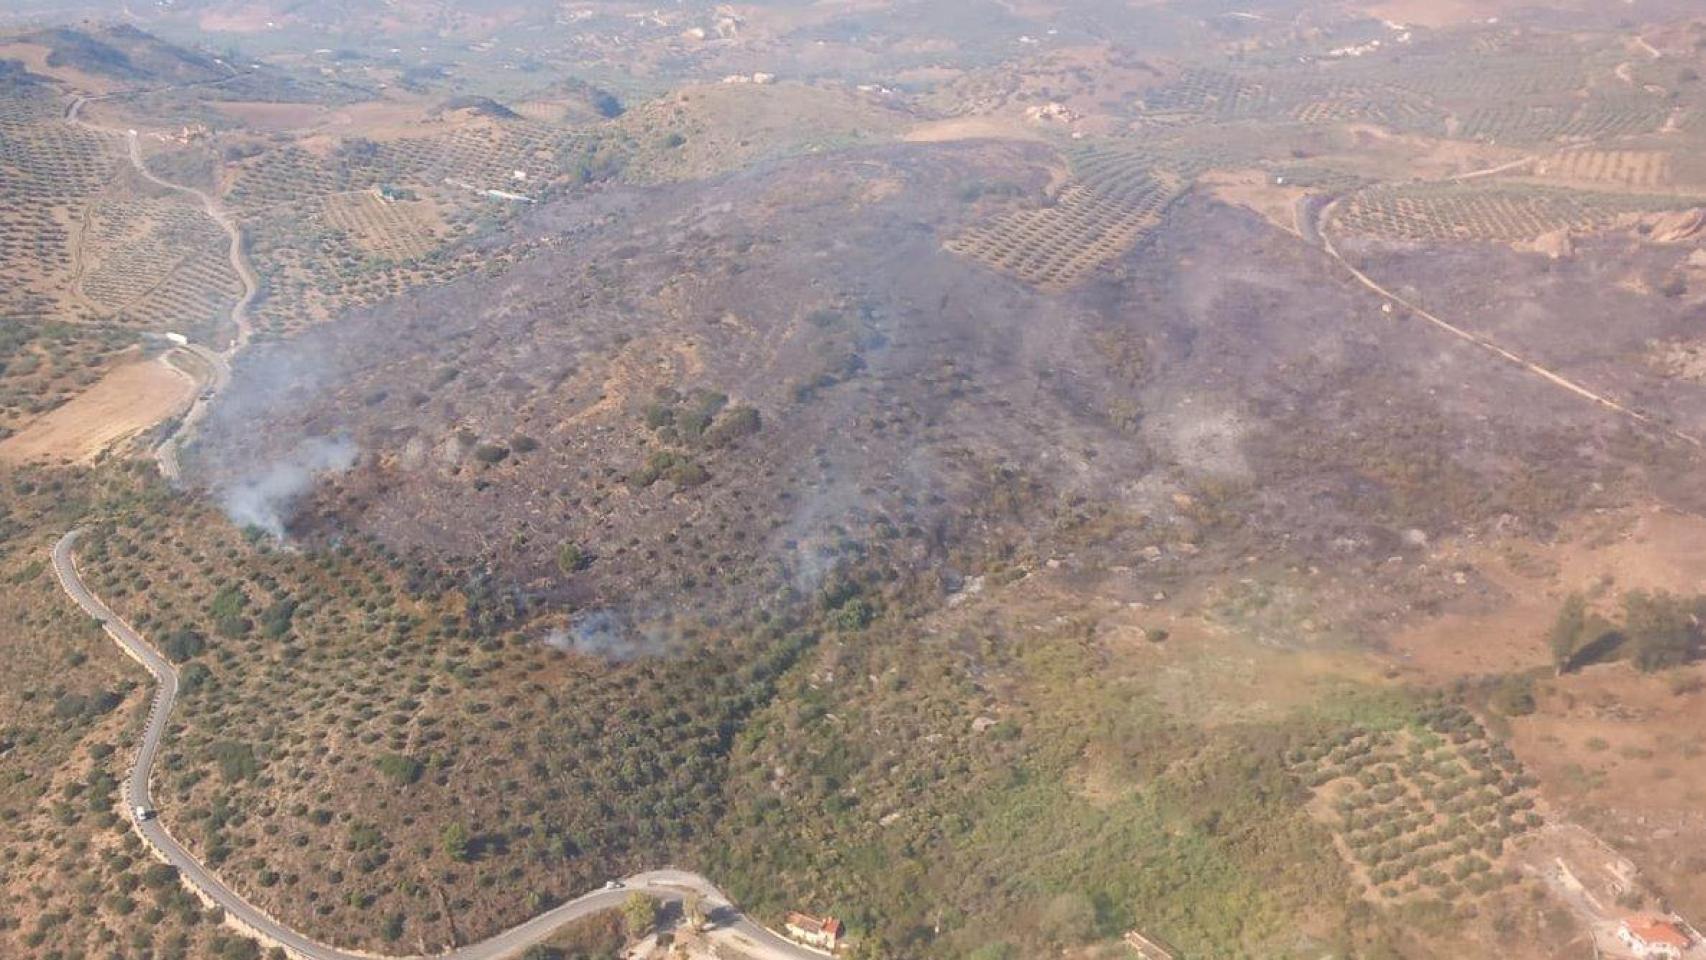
[(666, 886)]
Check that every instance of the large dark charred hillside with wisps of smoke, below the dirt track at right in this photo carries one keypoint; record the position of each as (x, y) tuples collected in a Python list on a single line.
[(704, 395)]
